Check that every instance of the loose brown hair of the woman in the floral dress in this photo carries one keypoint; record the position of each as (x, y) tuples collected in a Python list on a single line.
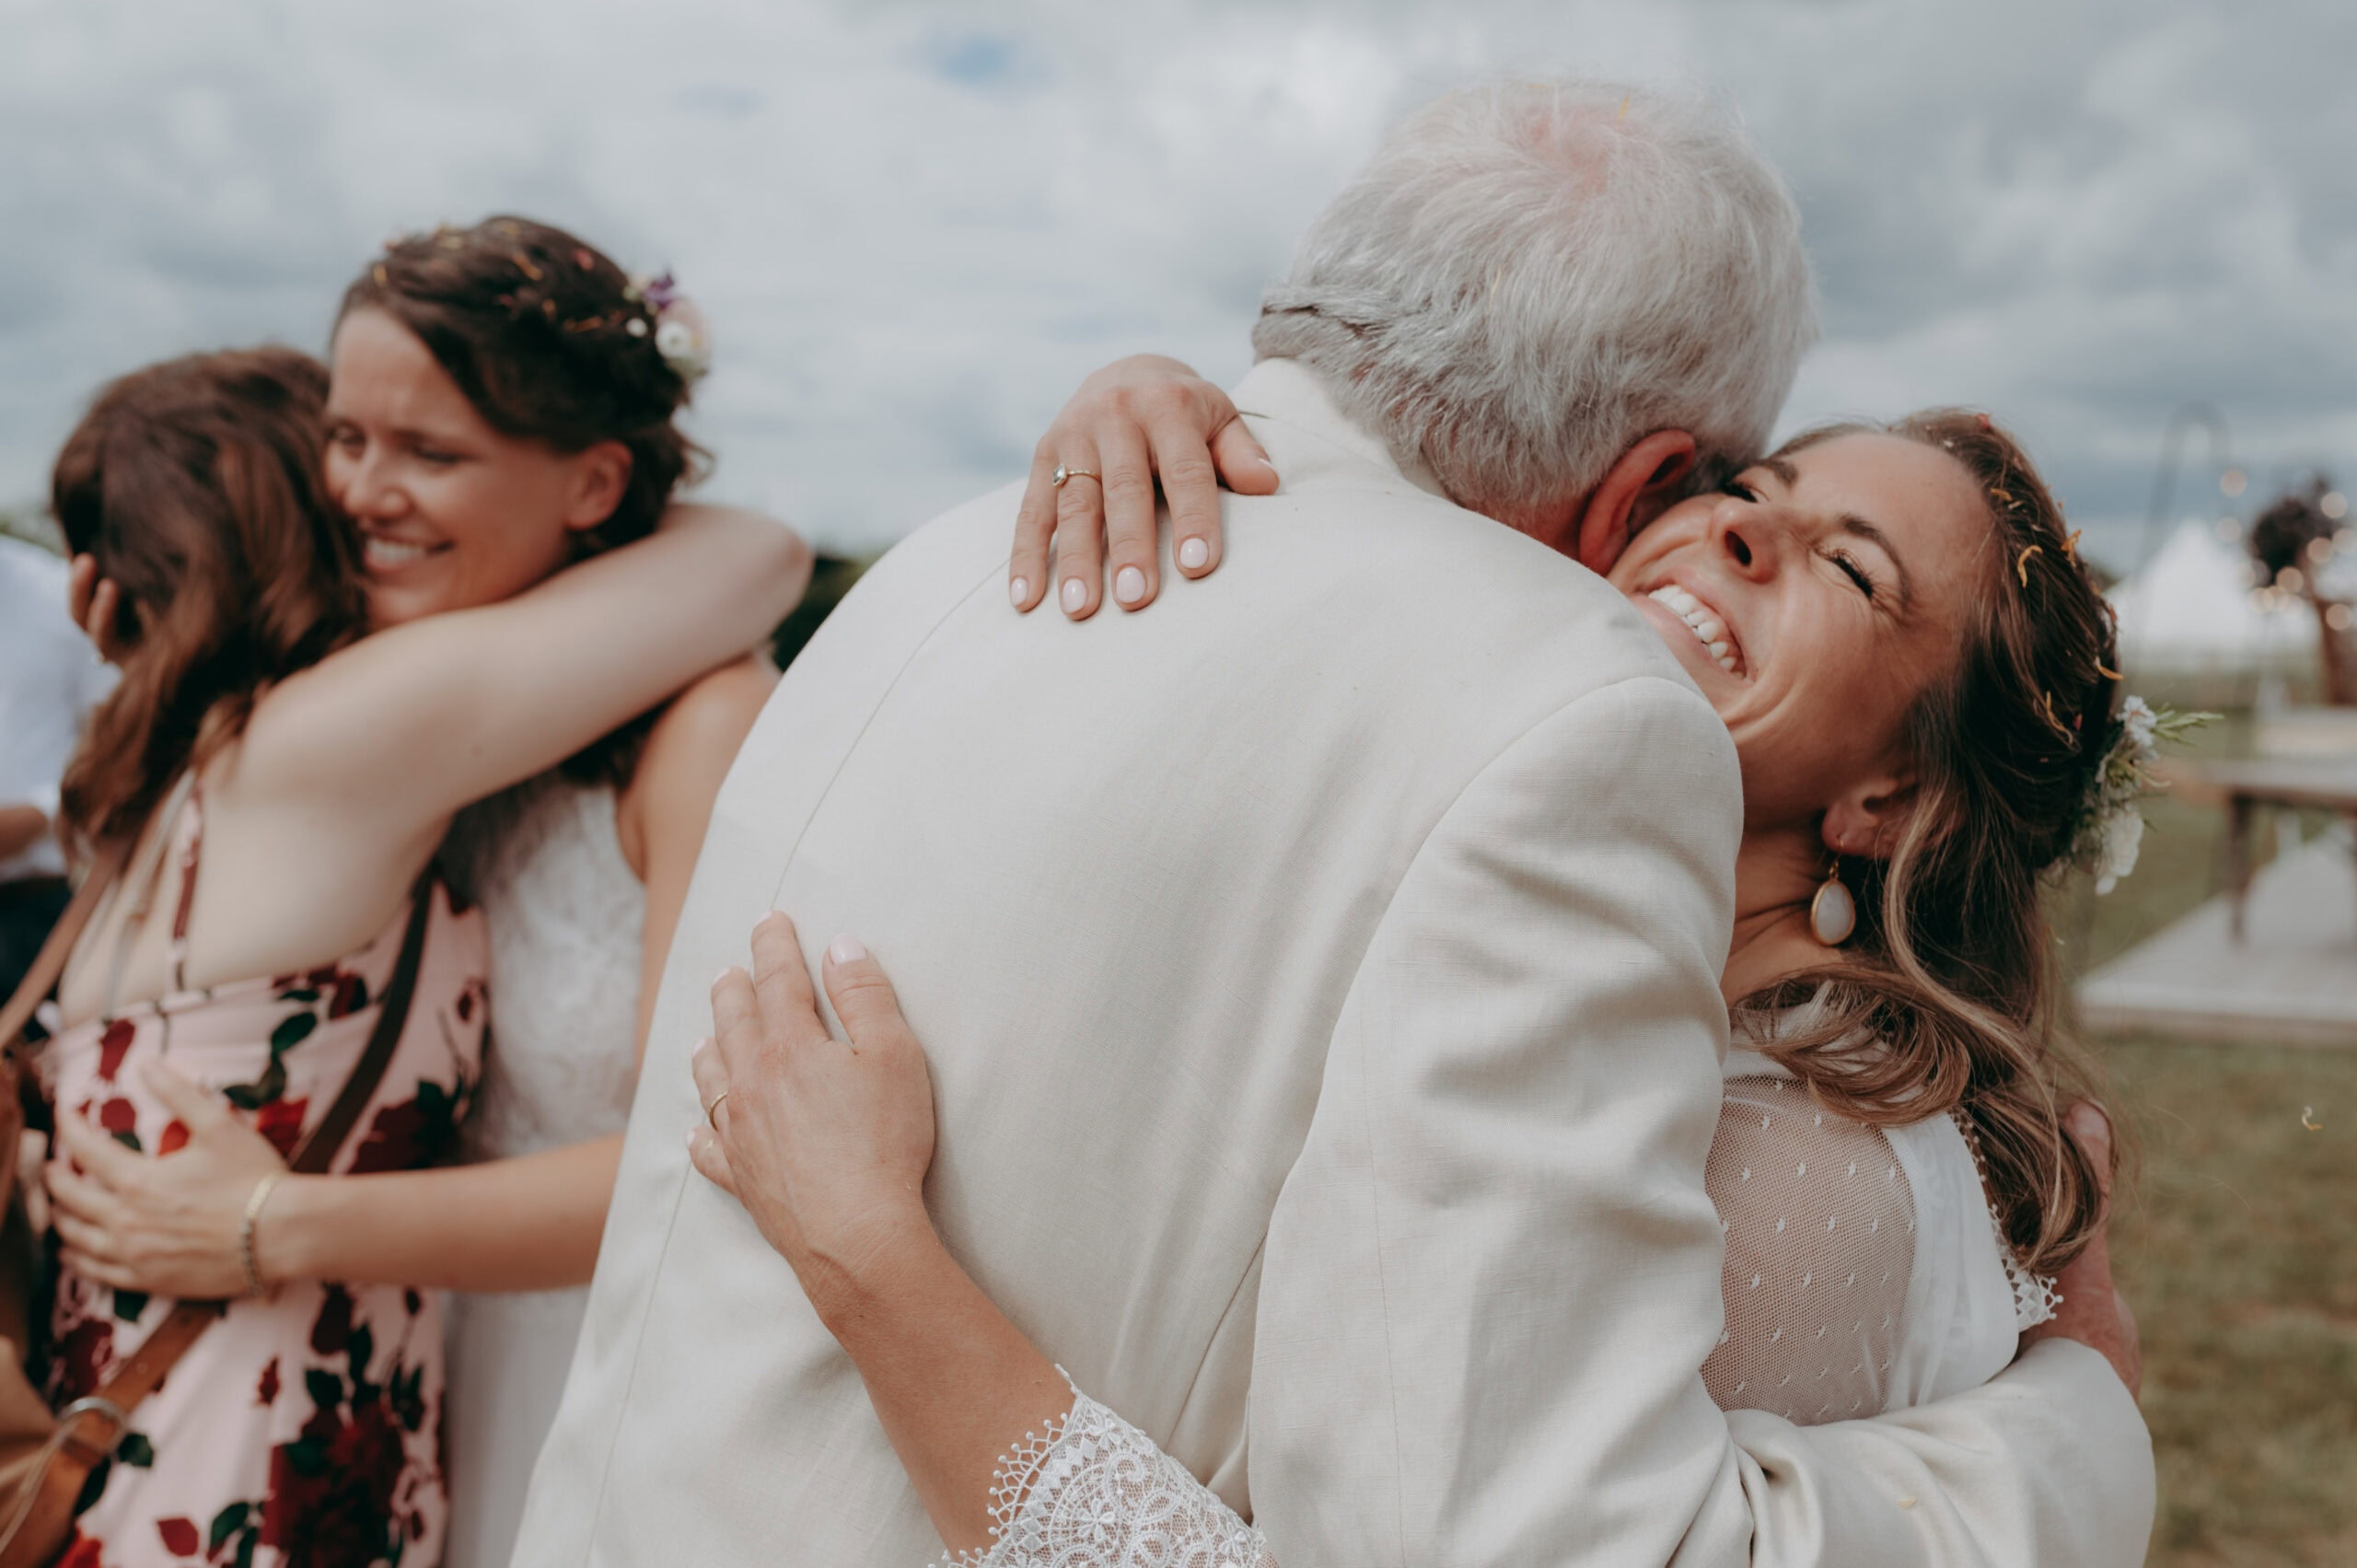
[(197, 485)]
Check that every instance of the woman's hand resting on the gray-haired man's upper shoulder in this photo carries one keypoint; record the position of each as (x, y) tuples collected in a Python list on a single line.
[(1130, 423)]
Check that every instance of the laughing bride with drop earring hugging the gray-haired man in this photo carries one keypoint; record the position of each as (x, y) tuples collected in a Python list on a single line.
[(1891, 1166)]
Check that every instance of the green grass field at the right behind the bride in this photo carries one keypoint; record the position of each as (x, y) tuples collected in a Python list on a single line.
[(2238, 1249)]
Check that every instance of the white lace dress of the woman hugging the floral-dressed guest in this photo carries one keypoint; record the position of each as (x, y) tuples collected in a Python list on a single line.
[(567, 918)]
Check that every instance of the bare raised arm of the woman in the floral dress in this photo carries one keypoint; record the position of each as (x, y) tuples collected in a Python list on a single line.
[(414, 723)]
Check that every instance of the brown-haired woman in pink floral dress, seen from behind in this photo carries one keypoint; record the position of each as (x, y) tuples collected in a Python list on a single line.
[(284, 789)]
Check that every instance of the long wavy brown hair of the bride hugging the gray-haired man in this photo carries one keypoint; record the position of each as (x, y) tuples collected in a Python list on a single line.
[(1948, 996)]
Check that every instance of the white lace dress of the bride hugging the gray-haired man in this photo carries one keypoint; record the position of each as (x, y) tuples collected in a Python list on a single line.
[(1863, 1274)]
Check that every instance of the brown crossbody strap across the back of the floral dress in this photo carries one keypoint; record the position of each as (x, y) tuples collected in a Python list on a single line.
[(79, 1451)]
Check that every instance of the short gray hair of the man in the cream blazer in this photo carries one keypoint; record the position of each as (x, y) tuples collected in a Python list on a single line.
[(1533, 277)]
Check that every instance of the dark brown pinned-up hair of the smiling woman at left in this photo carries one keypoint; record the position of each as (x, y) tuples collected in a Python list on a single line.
[(550, 343)]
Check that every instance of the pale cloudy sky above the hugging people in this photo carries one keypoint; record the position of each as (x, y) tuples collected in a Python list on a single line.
[(918, 225)]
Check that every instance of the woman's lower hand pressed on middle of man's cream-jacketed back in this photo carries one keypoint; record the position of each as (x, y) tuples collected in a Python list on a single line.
[(826, 1142)]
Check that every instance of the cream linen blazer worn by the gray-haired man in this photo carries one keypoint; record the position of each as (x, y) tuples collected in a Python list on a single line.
[(1321, 982)]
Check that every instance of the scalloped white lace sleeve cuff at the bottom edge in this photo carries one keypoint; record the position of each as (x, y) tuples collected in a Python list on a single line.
[(1092, 1491)]
